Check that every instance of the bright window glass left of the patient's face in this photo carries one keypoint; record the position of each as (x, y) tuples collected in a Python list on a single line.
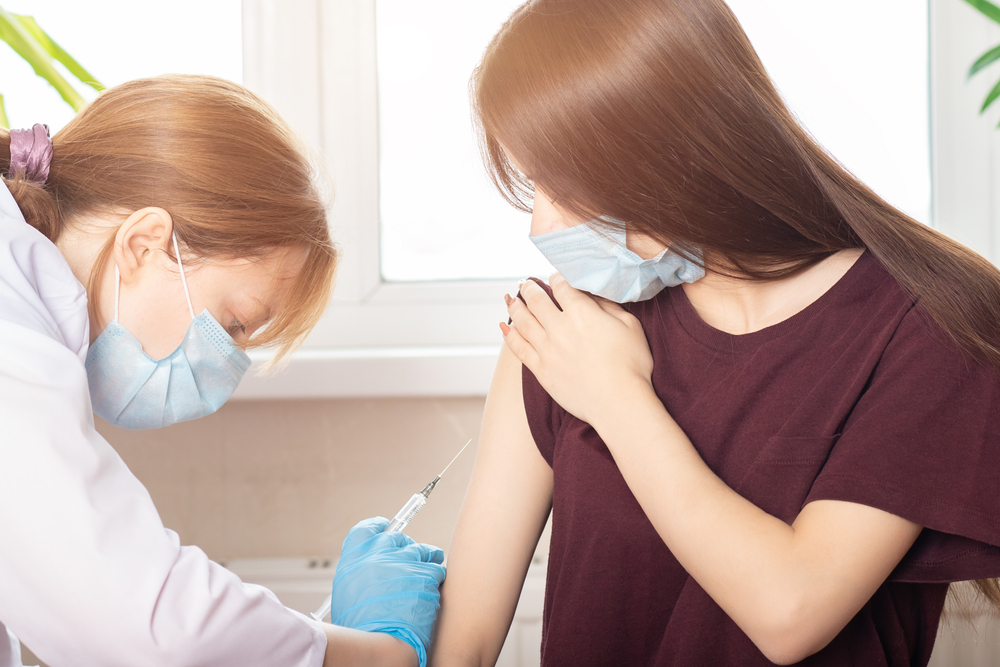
[(440, 216)]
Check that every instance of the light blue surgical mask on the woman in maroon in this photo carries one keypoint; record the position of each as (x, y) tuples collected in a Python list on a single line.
[(598, 261)]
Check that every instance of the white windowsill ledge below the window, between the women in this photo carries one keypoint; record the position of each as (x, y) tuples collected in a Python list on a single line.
[(373, 372)]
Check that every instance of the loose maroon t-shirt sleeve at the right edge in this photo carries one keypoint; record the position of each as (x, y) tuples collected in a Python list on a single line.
[(923, 443)]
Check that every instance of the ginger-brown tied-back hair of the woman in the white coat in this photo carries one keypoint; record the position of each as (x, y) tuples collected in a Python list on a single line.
[(233, 176)]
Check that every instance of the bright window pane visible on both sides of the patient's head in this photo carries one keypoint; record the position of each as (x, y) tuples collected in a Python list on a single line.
[(856, 77)]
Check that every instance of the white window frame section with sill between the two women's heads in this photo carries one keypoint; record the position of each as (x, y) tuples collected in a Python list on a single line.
[(315, 60)]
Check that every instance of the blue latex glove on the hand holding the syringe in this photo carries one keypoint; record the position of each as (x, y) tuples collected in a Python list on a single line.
[(386, 582)]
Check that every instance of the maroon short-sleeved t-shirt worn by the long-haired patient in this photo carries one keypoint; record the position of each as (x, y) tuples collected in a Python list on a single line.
[(858, 397)]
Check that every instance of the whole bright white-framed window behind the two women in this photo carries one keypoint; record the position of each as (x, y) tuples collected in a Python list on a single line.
[(379, 88)]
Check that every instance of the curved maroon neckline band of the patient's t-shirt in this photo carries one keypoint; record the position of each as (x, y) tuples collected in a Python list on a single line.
[(706, 334)]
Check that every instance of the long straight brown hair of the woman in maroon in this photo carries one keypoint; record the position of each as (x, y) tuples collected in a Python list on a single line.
[(659, 113)]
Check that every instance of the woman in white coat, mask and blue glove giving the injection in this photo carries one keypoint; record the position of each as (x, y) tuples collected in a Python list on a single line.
[(169, 226)]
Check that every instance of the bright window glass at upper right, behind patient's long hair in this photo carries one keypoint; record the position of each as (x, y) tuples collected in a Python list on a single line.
[(857, 78)]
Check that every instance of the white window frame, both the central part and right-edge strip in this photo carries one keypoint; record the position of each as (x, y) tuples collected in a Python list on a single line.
[(315, 60)]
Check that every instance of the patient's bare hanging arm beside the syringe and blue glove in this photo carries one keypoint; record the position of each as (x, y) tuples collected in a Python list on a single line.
[(504, 512)]
